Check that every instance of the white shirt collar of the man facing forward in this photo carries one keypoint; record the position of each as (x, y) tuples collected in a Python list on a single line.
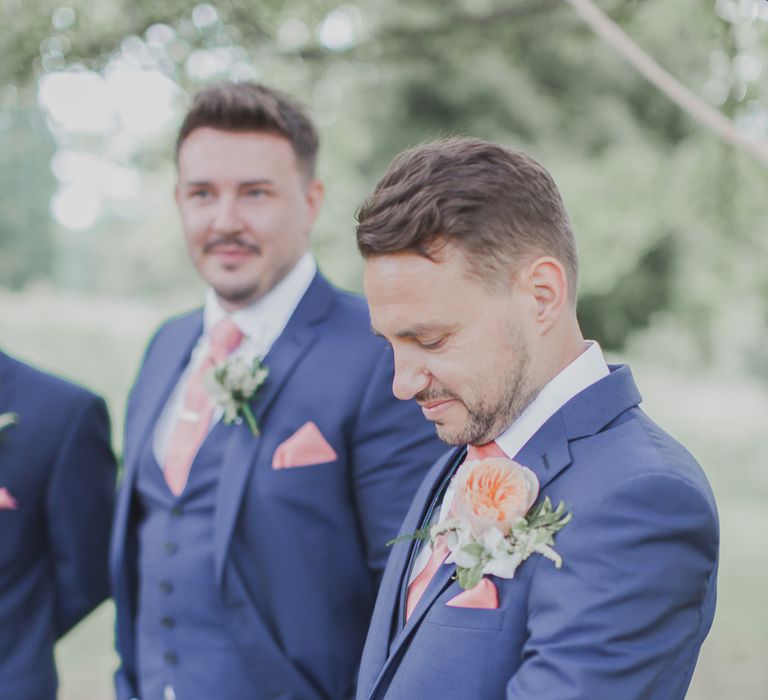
[(265, 319)]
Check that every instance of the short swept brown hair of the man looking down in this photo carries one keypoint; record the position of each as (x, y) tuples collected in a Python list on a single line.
[(496, 205)]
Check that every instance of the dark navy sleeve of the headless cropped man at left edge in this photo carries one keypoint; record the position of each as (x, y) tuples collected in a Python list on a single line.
[(80, 503)]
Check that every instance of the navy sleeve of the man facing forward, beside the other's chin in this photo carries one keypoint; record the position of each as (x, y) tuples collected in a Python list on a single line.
[(394, 447)]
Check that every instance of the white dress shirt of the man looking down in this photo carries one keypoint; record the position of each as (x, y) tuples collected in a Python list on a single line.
[(585, 370)]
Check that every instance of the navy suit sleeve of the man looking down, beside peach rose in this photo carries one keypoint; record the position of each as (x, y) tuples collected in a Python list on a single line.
[(624, 617)]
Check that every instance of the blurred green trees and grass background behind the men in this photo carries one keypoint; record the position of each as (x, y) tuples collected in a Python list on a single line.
[(670, 222)]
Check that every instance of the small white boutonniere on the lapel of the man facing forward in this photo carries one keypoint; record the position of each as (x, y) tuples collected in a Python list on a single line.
[(233, 383)]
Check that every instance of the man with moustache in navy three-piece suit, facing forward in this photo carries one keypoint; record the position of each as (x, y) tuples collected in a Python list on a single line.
[(246, 554)]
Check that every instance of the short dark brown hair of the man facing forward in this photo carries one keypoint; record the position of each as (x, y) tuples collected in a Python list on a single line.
[(253, 107)]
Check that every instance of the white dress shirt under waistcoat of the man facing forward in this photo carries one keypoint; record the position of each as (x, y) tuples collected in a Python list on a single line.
[(261, 324)]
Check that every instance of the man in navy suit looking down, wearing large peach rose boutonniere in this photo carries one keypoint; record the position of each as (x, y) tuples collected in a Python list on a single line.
[(470, 272)]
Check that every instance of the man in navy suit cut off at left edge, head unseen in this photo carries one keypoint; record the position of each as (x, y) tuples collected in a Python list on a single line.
[(57, 493)]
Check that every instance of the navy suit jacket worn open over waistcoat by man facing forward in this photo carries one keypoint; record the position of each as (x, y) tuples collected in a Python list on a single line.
[(298, 551)]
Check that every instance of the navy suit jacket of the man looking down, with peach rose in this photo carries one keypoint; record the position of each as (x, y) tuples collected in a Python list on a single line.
[(626, 614)]
